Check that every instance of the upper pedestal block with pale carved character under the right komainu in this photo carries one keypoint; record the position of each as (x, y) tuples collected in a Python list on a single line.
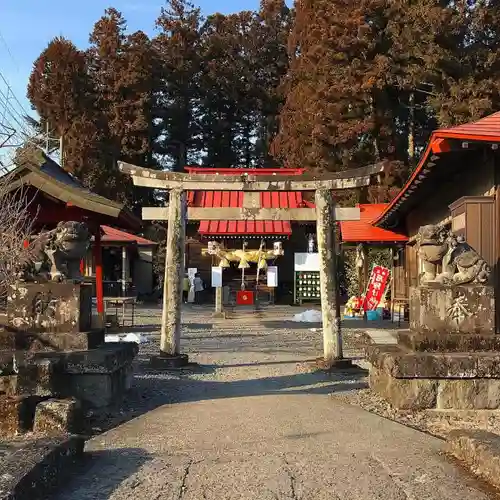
[(458, 309)]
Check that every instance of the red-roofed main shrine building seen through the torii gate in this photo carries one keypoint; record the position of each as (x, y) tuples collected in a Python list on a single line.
[(294, 236)]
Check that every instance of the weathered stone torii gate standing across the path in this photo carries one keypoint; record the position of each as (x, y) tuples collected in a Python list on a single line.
[(325, 214)]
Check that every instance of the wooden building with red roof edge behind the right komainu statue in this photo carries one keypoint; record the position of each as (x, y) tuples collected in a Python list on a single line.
[(456, 184)]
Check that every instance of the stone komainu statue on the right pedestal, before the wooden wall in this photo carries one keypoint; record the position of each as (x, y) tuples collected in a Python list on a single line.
[(460, 263)]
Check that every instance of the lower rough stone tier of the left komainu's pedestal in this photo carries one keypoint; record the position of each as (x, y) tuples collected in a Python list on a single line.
[(50, 387)]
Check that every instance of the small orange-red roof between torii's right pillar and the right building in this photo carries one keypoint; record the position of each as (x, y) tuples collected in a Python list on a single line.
[(363, 231)]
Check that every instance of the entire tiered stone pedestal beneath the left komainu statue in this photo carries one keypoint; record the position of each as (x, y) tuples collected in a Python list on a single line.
[(52, 363)]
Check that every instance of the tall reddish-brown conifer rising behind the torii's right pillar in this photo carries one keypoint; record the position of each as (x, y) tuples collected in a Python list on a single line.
[(329, 121)]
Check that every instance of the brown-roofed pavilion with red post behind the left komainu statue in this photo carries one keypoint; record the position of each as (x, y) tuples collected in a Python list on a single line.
[(54, 195)]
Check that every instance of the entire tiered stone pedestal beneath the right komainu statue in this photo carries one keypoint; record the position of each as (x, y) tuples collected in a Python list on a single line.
[(450, 357)]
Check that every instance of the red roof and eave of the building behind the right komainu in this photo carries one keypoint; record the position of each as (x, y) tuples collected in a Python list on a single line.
[(484, 130)]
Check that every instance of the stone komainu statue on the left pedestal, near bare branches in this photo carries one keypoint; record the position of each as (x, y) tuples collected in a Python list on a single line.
[(56, 254)]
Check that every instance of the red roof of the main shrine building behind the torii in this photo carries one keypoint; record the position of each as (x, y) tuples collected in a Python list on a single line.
[(234, 199)]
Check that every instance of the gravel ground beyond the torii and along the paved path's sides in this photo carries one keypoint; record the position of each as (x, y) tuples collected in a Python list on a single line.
[(219, 344)]
